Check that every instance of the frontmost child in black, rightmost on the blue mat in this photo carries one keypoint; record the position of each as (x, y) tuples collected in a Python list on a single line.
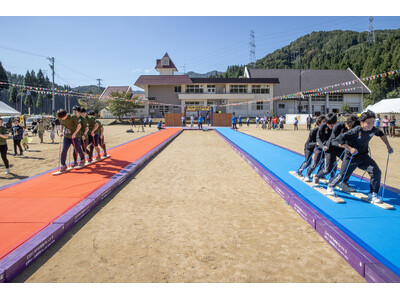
[(356, 141)]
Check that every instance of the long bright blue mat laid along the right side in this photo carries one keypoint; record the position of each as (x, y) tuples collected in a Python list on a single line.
[(375, 229)]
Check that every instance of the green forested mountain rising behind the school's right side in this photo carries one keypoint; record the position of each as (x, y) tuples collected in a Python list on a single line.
[(341, 50)]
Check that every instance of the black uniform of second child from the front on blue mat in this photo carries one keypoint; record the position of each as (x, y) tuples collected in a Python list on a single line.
[(333, 151)]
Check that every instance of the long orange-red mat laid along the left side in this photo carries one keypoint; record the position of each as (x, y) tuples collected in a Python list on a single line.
[(30, 206)]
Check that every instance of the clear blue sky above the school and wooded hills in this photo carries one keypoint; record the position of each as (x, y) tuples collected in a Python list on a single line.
[(120, 49)]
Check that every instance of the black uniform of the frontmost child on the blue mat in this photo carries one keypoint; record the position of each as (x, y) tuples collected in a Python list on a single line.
[(359, 139)]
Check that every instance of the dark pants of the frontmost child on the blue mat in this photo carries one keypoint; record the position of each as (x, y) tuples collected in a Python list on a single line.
[(365, 163)]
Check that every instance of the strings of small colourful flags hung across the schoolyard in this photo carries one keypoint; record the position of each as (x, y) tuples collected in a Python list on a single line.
[(313, 92)]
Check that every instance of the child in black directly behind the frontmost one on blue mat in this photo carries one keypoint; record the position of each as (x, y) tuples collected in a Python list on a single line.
[(332, 151)]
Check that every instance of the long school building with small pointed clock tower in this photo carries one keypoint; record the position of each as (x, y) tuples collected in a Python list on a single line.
[(255, 84)]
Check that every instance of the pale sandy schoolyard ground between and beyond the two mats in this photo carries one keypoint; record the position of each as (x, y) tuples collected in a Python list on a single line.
[(196, 213)]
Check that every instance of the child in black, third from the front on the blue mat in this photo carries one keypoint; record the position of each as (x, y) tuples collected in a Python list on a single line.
[(323, 134)]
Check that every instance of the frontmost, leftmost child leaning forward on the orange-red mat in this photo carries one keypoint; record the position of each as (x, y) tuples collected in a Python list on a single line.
[(72, 135)]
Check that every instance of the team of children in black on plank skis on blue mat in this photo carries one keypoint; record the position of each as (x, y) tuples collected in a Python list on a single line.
[(348, 141)]
